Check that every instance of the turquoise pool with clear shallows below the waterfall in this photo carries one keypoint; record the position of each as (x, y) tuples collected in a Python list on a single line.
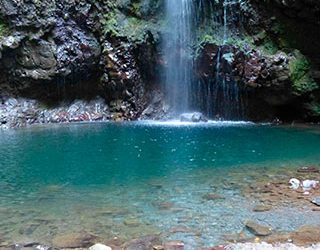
[(133, 179)]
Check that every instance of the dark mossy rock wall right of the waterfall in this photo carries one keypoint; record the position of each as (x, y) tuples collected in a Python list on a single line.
[(274, 57)]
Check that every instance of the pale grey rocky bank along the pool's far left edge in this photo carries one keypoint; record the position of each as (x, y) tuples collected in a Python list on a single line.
[(21, 112)]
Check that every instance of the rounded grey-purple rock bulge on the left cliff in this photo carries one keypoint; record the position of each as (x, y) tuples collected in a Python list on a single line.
[(68, 51)]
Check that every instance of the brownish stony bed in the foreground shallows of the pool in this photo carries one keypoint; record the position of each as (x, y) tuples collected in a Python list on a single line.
[(270, 198)]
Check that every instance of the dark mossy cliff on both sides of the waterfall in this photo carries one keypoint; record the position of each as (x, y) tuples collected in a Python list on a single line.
[(55, 51)]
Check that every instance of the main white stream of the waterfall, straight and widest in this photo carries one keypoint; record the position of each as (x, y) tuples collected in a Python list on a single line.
[(177, 53)]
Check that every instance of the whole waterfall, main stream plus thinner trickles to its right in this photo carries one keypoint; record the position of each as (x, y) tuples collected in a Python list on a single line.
[(218, 97)]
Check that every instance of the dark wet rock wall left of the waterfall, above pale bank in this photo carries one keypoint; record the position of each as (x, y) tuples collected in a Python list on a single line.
[(56, 47)]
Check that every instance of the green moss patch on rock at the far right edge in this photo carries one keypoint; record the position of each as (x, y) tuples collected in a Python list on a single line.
[(302, 82)]
